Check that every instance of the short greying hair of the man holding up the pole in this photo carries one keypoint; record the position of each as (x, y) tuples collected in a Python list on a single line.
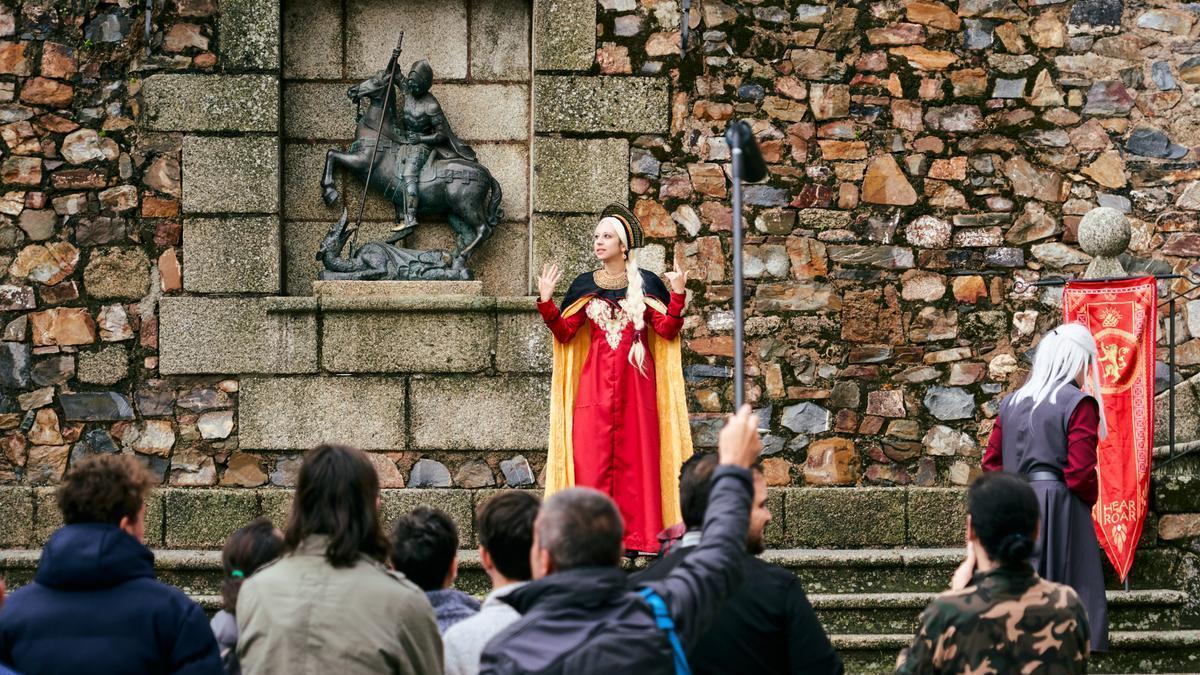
[(581, 528)]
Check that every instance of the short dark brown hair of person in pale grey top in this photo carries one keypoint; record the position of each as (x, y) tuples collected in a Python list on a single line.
[(506, 530)]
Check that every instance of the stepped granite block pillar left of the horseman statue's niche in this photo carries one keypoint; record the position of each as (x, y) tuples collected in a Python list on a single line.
[(231, 154)]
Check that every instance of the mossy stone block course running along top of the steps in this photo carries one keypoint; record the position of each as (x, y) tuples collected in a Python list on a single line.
[(803, 518)]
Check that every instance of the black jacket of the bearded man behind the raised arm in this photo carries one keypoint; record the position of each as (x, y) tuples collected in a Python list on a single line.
[(767, 626)]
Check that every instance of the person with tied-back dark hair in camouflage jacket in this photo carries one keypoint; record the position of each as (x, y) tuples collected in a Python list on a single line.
[(999, 616)]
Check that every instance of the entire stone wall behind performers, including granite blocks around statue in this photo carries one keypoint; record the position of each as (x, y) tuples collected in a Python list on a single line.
[(159, 217)]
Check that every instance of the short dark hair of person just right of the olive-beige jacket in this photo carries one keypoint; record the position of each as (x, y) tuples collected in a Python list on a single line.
[(423, 547)]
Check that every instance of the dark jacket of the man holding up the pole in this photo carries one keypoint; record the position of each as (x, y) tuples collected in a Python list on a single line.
[(592, 620)]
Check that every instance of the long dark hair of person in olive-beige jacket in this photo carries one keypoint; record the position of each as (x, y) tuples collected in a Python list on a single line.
[(338, 495)]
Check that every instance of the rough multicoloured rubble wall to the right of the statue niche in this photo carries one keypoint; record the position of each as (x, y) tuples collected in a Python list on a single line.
[(923, 158)]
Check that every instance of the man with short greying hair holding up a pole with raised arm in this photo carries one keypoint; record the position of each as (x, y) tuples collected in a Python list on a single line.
[(581, 616)]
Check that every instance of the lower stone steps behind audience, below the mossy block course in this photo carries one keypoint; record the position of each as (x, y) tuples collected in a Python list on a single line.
[(868, 600)]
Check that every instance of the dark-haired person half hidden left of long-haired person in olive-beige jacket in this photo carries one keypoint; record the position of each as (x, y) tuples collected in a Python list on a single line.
[(245, 552)]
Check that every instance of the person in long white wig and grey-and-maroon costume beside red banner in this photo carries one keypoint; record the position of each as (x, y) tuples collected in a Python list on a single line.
[(1048, 432)]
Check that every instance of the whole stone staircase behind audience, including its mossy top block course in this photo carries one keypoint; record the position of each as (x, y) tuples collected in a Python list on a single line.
[(869, 558)]
